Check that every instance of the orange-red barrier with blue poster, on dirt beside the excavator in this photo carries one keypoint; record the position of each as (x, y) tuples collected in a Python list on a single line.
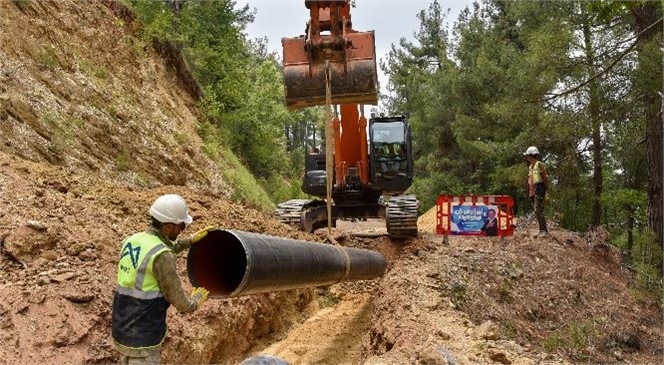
[(468, 215)]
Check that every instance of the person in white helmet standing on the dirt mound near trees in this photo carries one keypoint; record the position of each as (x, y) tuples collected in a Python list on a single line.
[(538, 182)]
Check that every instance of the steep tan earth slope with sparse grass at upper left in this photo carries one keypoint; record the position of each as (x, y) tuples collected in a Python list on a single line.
[(77, 89)]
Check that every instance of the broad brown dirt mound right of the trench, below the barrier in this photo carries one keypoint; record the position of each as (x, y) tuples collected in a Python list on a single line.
[(511, 300)]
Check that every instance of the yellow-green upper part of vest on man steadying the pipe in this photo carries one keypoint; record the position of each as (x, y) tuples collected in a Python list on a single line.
[(135, 277)]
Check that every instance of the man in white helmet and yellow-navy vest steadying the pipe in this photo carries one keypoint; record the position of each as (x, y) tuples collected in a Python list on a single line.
[(148, 282)]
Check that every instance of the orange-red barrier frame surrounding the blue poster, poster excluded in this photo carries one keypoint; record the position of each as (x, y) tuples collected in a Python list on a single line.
[(505, 215)]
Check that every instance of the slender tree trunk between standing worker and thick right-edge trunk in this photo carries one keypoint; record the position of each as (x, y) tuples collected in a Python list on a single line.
[(595, 119)]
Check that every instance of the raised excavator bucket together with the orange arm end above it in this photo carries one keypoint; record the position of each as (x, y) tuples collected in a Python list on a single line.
[(329, 37)]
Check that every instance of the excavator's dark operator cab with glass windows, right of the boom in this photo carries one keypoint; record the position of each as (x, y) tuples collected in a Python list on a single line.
[(391, 158)]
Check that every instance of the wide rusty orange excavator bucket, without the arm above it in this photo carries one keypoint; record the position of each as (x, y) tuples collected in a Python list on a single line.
[(353, 72)]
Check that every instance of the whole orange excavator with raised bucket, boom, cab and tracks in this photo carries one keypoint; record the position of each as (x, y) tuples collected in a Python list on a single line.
[(335, 65)]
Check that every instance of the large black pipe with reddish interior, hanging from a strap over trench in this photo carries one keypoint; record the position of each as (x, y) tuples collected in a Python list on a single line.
[(231, 263)]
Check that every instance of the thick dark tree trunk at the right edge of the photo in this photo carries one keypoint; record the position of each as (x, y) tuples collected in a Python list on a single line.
[(644, 16)]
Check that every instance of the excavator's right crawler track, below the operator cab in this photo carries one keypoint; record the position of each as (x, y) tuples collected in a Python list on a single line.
[(401, 216)]
